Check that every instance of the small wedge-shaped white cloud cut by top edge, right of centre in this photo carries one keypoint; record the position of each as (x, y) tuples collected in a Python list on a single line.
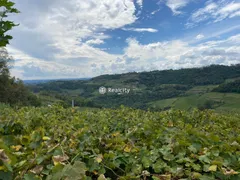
[(176, 5)]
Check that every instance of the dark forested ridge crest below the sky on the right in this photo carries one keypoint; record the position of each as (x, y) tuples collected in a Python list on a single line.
[(214, 74)]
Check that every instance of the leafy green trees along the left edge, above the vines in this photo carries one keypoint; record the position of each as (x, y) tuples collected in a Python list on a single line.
[(12, 91)]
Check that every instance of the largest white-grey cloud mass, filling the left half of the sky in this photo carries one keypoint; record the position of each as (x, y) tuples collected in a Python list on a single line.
[(62, 34)]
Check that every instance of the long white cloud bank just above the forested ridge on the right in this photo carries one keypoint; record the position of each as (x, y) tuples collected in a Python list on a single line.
[(179, 54)]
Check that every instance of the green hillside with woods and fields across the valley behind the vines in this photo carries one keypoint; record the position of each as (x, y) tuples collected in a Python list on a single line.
[(154, 90)]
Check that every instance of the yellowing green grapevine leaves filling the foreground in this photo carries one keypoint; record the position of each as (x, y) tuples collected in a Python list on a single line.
[(57, 143)]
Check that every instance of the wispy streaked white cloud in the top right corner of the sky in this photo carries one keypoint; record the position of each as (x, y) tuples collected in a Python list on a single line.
[(214, 12)]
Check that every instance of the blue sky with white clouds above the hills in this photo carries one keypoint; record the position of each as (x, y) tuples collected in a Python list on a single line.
[(87, 38)]
